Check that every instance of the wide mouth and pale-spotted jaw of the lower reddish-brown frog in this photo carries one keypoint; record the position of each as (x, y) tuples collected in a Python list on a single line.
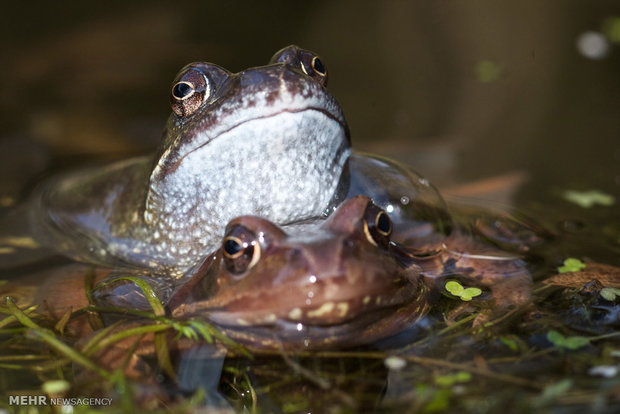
[(326, 326)]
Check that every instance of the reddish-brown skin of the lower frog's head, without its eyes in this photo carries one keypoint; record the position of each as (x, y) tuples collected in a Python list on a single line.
[(326, 286)]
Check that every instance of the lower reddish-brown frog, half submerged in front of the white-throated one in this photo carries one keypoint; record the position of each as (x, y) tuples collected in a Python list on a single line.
[(339, 283)]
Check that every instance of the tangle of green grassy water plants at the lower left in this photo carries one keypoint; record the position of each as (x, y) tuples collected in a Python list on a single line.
[(29, 327)]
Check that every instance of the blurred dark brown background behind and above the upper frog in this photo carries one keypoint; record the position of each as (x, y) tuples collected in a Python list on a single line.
[(93, 78)]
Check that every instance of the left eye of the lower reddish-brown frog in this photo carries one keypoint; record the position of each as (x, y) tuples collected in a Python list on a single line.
[(240, 249)]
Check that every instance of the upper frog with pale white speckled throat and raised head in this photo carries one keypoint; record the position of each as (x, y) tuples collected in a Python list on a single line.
[(270, 141)]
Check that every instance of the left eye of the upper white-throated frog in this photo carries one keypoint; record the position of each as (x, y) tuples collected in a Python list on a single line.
[(188, 93)]
